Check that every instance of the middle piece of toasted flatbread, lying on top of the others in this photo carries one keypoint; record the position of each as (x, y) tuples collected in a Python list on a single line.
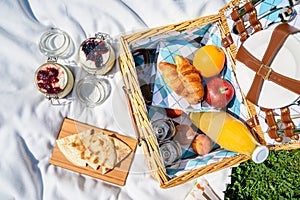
[(100, 150)]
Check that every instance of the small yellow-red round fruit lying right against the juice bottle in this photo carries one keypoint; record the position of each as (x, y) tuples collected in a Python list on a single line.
[(202, 144)]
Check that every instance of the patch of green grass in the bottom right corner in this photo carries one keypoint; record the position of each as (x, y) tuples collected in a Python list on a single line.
[(277, 178)]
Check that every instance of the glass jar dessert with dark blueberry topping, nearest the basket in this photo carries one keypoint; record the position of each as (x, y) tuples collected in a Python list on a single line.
[(96, 54)]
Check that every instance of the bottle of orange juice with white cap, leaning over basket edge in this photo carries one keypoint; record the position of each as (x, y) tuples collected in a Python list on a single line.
[(229, 133)]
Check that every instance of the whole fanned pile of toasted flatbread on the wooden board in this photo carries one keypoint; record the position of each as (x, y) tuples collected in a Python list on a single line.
[(95, 149)]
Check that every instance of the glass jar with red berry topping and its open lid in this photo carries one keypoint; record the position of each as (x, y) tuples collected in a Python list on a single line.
[(52, 79)]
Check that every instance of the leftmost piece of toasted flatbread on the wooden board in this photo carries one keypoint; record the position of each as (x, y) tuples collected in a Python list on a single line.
[(72, 148)]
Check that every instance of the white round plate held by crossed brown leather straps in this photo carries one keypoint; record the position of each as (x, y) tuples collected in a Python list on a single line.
[(286, 62)]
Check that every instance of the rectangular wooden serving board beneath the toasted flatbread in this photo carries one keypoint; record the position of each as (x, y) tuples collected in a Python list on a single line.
[(116, 176)]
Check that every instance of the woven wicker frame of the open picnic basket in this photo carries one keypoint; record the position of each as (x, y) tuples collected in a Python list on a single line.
[(139, 114)]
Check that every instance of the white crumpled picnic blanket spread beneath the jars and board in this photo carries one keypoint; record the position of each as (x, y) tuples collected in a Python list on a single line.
[(29, 125)]
